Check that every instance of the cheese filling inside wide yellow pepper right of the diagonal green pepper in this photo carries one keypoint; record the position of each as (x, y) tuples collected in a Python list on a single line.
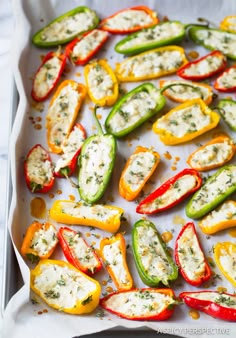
[(184, 121)]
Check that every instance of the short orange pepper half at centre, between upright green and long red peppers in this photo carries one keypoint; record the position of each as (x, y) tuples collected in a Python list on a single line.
[(138, 169)]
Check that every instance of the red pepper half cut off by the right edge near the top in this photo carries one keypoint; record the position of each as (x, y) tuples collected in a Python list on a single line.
[(226, 82)]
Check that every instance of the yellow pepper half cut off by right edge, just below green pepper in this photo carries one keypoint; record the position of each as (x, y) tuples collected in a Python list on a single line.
[(224, 217)]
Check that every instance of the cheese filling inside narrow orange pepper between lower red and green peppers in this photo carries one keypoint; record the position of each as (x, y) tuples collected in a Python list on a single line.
[(113, 257)]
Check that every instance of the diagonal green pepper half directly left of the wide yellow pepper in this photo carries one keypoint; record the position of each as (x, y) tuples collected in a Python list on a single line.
[(133, 109)]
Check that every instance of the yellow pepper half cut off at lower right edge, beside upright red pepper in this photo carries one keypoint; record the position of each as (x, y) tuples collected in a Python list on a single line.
[(225, 257)]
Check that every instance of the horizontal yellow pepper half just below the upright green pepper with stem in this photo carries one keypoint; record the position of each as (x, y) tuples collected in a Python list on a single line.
[(105, 217)]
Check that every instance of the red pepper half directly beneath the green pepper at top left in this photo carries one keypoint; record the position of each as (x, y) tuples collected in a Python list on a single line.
[(83, 48)]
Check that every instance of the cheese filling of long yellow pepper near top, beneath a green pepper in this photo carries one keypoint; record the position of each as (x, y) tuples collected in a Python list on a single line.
[(152, 63)]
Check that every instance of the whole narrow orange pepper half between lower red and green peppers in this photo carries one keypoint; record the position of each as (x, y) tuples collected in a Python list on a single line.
[(113, 253)]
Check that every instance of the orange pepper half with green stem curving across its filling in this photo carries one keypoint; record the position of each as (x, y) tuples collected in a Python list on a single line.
[(187, 90)]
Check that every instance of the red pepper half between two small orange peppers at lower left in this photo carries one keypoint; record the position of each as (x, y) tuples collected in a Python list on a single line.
[(78, 252)]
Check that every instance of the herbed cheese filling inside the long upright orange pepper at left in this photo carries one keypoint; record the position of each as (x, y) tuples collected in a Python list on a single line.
[(61, 114)]
